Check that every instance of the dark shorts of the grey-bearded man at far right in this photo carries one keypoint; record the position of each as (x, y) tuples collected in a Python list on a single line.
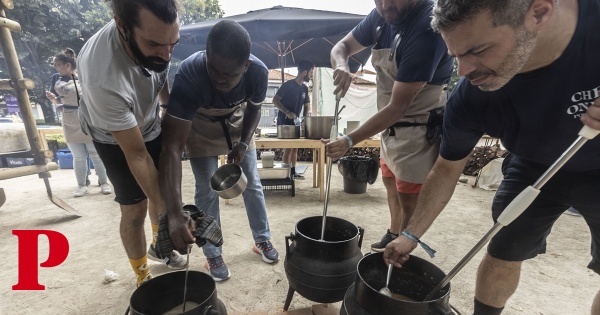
[(525, 237)]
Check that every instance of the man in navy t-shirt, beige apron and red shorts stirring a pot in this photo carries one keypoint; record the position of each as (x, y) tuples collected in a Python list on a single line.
[(413, 67)]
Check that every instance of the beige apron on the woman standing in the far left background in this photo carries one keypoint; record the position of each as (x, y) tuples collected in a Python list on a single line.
[(70, 116)]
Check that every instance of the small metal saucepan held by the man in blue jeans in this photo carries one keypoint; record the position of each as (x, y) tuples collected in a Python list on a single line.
[(229, 181)]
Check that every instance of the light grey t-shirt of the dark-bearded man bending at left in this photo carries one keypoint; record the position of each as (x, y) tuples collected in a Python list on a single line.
[(117, 95)]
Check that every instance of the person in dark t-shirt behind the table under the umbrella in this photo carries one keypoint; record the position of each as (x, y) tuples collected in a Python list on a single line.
[(292, 99)]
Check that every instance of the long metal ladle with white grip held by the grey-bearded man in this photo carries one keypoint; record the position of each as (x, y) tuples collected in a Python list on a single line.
[(519, 204)]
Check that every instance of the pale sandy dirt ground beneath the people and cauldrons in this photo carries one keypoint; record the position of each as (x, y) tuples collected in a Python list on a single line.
[(555, 283)]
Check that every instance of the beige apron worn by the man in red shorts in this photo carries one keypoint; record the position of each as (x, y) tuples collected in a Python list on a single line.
[(408, 154)]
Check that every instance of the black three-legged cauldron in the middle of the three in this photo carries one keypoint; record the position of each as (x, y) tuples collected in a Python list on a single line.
[(322, 270)]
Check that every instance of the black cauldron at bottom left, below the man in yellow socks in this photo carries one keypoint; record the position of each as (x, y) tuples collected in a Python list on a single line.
[(165, 292)]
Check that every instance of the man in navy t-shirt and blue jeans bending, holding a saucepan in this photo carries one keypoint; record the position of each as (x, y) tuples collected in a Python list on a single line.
[(214, 108)]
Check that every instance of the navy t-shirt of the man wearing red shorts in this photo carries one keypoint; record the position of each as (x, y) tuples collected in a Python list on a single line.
[(422, 55)]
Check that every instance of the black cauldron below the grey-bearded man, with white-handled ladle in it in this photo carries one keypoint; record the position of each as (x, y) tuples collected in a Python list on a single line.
[(414, 280)]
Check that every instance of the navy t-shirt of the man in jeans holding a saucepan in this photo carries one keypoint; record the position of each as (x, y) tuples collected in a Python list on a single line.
[(192, 88)]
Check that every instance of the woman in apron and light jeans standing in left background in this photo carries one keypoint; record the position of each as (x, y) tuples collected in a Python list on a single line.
[(64, 94)]
